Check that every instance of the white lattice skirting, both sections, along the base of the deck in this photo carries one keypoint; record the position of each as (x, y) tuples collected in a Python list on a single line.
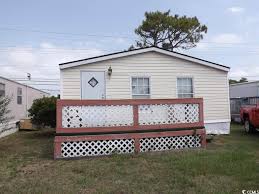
[(123, 146)]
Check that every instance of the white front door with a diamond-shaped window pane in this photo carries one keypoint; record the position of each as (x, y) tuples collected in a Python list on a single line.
[(92, 85)]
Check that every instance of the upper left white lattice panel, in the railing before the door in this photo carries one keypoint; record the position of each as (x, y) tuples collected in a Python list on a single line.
[(97, 116)]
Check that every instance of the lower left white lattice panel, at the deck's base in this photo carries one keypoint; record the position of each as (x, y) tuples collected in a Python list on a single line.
[(96, 148)]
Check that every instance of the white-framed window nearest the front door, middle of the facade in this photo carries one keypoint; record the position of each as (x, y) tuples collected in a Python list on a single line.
[(140, 87)]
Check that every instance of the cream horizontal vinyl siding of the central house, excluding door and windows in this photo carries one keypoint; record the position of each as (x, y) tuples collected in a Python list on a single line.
[(209, 83)]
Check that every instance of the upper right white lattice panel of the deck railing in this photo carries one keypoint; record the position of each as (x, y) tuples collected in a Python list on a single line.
[(168, 114)]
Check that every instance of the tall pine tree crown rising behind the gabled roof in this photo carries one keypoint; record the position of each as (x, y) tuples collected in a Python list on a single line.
[(169, 31)]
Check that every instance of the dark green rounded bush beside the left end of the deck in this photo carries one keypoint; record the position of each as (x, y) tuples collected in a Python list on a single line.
[(43, 111)]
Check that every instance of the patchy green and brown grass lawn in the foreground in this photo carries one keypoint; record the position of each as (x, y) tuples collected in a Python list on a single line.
[(228, 165)]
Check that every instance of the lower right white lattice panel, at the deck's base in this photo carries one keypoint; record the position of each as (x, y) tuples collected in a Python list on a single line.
[(169, 143)]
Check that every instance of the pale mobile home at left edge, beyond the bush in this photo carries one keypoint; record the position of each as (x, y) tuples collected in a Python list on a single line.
[(22, 97)]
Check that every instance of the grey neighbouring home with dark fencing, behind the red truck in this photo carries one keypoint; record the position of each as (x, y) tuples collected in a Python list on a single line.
[(242, 94)]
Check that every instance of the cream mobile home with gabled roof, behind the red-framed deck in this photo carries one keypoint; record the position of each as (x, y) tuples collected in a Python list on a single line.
[(151, 73)]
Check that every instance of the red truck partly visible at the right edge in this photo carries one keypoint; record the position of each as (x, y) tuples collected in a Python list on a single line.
[(249, 115)]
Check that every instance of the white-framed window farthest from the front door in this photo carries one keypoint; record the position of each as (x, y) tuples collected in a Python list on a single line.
[(185, 87)]
